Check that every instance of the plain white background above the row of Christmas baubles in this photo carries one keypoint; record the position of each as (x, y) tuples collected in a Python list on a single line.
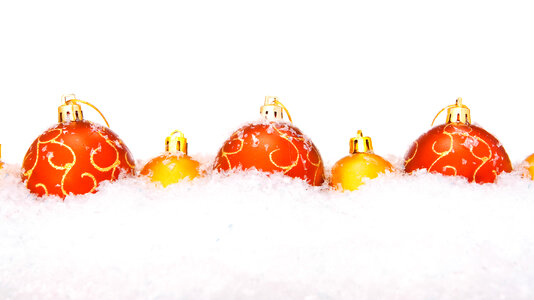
[(204, 67)]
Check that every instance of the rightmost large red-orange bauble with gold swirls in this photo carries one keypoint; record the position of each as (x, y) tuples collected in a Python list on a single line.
[(459, 148)]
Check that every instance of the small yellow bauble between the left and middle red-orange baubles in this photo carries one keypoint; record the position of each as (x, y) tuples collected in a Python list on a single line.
[(173, 165)]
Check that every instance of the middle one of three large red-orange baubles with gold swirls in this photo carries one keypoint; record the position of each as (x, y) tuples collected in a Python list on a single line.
[(272, 145)]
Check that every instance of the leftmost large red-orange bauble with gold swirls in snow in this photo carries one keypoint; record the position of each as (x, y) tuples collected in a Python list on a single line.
[(74, 156)]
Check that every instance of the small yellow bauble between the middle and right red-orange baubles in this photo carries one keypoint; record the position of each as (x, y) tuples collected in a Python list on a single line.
[(350, 171)]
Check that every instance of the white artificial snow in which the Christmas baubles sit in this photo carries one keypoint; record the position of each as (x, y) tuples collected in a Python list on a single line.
[(247, 235)]
